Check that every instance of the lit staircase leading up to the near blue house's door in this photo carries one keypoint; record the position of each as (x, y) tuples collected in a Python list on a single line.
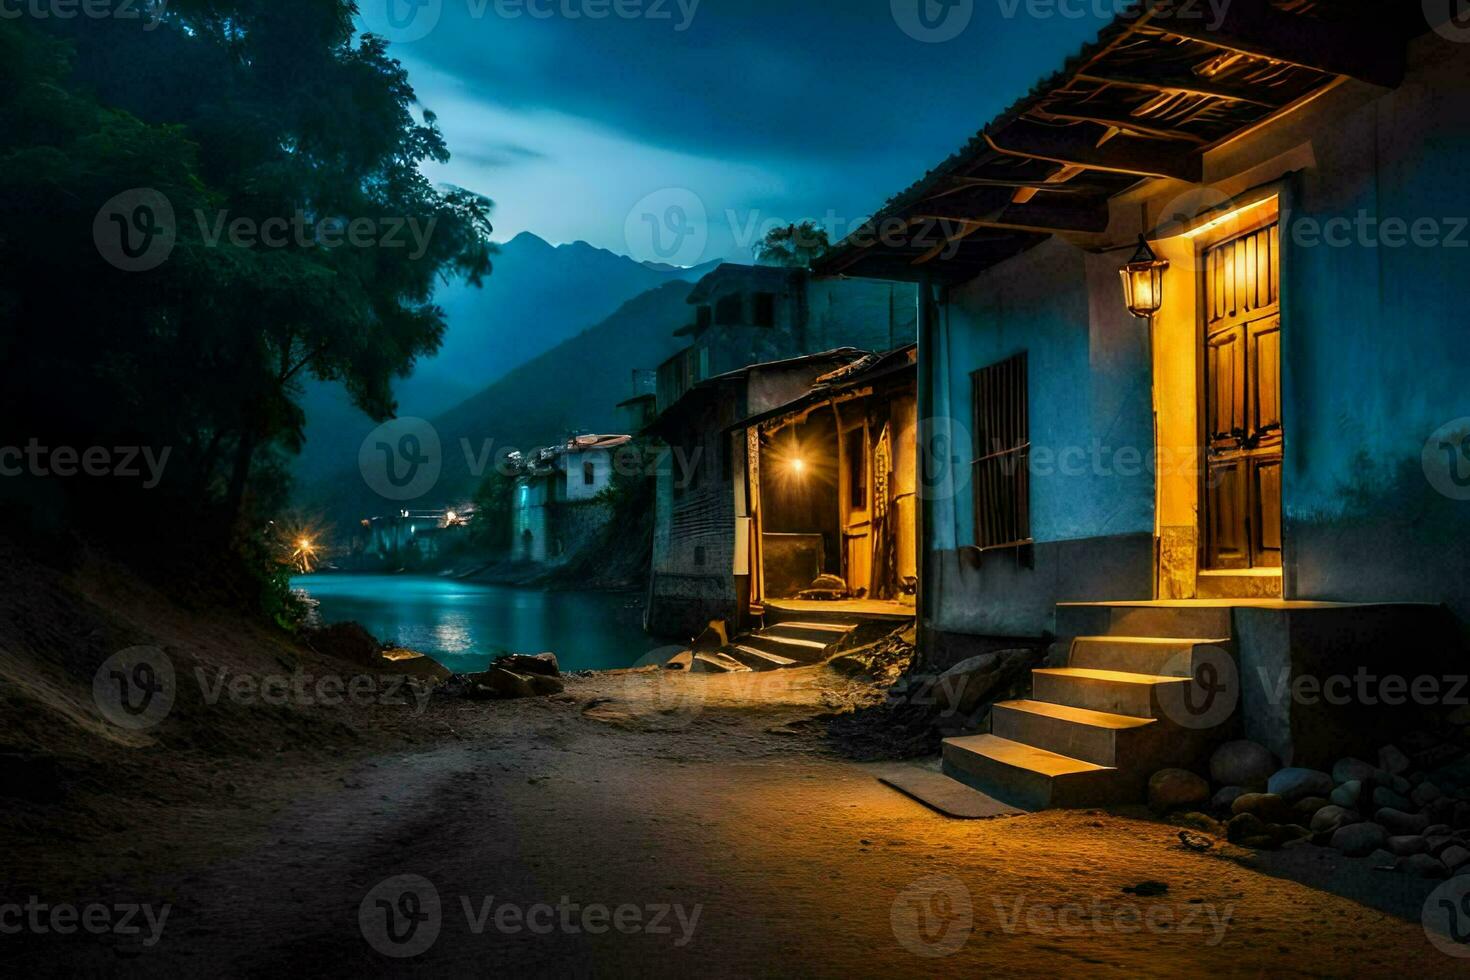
[(1136, 697)]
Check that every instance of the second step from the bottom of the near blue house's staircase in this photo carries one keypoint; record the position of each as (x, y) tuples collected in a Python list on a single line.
[(1094, 737)]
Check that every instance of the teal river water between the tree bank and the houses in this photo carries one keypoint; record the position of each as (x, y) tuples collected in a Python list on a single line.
[(464, 625)]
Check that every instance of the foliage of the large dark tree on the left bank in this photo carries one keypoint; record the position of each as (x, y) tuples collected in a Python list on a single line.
[(243, 115)]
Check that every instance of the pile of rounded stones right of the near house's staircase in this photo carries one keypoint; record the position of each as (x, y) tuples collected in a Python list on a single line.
[(1408, 810)]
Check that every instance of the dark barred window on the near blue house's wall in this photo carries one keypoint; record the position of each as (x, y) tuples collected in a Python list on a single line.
[(1002, 455)]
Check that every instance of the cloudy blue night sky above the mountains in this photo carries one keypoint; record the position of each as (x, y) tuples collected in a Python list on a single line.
[(747, 111)]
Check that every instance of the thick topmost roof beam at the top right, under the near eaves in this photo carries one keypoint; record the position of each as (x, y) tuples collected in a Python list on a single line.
[(1363, 51)]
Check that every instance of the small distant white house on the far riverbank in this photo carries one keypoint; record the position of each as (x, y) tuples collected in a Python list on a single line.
[(556, 499)]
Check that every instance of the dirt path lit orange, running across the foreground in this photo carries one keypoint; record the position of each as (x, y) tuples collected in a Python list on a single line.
[(696, 834)]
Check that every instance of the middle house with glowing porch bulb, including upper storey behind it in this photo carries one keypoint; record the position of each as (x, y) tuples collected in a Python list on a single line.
[(789, 468)]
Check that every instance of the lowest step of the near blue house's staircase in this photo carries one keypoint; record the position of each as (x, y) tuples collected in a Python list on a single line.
[(1033, 778)]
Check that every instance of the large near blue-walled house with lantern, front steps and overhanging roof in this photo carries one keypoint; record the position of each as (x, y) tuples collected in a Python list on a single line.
[(1193, 390)]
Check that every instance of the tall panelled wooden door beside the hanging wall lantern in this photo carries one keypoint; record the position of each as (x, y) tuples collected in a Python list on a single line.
[(1244, 439)]
